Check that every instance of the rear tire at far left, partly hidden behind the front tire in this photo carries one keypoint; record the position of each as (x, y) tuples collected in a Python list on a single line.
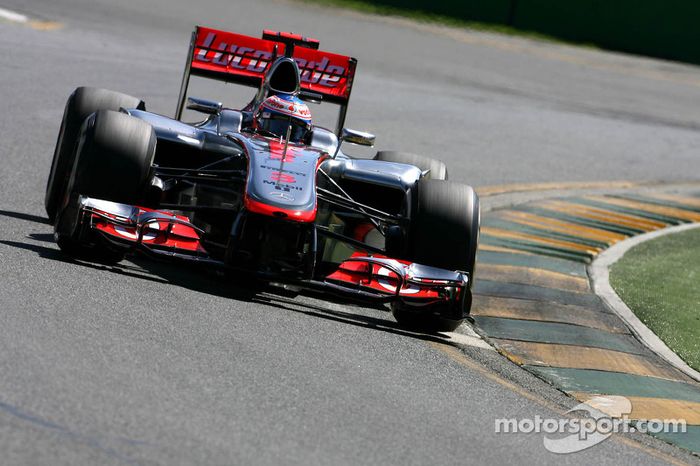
[(83, 102)]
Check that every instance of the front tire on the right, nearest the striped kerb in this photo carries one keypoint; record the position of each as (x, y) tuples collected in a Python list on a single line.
[(444, 233)]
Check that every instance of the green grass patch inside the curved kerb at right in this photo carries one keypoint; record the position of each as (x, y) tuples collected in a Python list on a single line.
[(659, 280)]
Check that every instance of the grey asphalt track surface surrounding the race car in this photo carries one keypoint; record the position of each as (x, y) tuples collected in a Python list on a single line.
[(149, 364)]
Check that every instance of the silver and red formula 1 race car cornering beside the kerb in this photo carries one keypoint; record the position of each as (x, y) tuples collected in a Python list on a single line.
[(234, 194)]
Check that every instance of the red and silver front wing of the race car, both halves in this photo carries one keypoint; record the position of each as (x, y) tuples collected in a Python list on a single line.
[(363, 275)]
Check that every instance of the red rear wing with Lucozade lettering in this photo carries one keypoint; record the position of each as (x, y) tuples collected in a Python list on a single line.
[(236, 58)]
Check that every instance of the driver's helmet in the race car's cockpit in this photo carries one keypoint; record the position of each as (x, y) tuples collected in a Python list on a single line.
[(277, 112)]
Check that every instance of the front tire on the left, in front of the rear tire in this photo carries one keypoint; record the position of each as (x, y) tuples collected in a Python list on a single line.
[(113, 162)]
